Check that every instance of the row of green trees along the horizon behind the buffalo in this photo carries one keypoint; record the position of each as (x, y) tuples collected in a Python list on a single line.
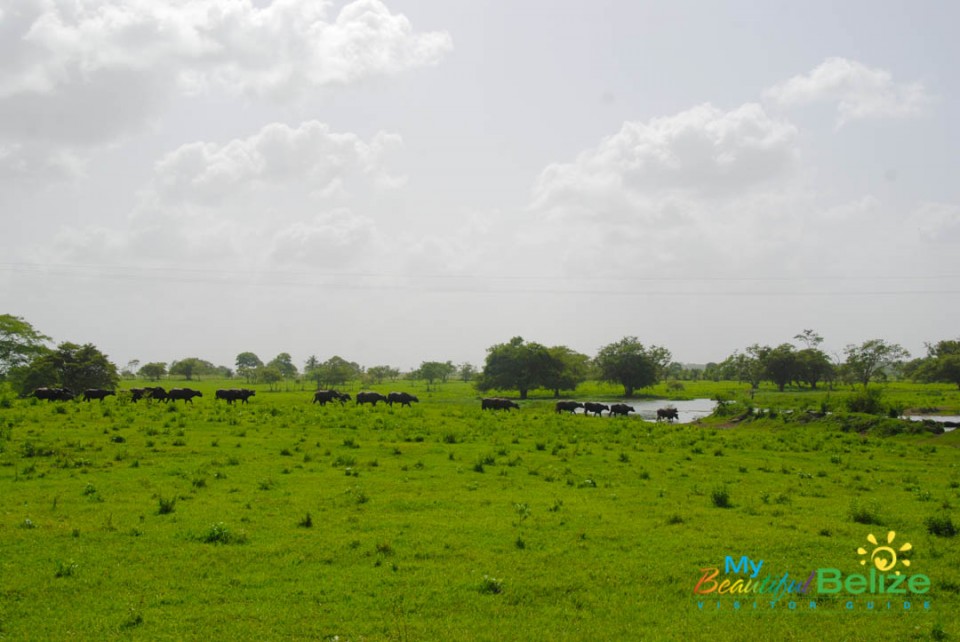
[(28, 362)]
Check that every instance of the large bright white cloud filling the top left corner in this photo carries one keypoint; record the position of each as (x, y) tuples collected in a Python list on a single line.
[(80, 74)]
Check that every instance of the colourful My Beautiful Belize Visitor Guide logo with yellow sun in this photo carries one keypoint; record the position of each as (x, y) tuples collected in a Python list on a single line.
[(744, 585)]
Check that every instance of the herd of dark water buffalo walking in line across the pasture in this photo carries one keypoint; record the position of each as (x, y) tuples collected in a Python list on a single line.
[(323, 397)]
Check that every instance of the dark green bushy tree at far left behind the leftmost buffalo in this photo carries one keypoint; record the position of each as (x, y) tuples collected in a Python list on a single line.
[(69, 366)]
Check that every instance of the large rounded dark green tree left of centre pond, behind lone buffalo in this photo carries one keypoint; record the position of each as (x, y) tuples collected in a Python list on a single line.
[(515, 365)]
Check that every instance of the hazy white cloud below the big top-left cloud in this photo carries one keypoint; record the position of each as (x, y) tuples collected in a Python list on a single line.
[(283, 196)]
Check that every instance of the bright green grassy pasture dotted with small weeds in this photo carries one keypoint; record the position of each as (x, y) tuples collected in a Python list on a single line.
[(283, 519)]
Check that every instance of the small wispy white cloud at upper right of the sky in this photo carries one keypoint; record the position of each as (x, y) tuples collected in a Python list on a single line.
[(860, 92)]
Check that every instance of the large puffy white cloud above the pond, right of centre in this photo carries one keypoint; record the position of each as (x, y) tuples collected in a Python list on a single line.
[(641, 172)]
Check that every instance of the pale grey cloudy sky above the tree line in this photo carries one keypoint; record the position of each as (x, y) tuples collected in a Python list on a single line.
[(402, 181)]
